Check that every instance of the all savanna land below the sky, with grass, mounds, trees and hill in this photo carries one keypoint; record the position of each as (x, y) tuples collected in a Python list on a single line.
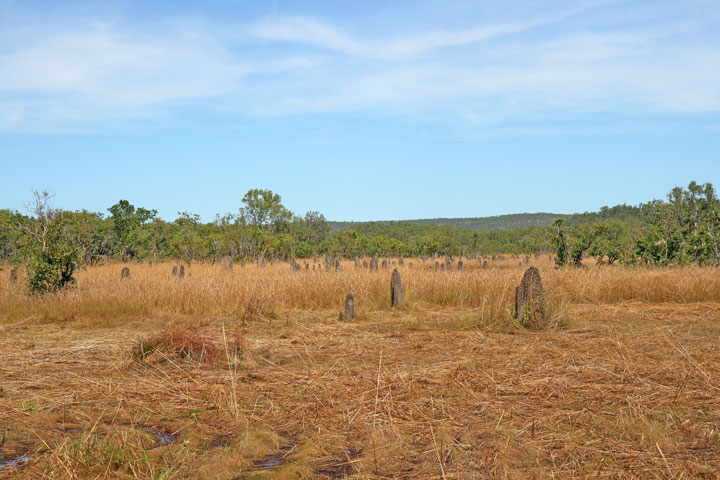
[(270, 345)]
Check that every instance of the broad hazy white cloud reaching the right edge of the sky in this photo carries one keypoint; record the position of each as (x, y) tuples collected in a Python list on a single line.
[(584, 73)]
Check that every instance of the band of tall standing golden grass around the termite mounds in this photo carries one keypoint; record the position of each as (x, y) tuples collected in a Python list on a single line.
[(253, 293)]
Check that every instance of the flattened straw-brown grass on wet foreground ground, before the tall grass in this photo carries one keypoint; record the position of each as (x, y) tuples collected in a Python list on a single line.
[(620, 391)]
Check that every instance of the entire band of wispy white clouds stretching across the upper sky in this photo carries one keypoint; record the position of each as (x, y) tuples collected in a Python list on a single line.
[(559, 64)]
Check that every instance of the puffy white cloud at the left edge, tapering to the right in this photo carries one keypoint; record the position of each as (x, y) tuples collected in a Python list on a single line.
[(104, 73)]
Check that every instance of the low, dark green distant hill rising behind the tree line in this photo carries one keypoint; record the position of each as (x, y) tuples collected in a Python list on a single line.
[(500, 222)]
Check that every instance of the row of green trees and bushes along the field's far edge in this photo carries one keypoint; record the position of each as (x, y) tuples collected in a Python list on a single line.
[(51, 244)]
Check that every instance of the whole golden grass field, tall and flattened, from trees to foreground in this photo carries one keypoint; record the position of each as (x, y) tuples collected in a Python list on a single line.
[(251, 374)]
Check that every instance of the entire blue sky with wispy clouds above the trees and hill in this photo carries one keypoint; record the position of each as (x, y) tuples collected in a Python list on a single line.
[(361, 110)]
